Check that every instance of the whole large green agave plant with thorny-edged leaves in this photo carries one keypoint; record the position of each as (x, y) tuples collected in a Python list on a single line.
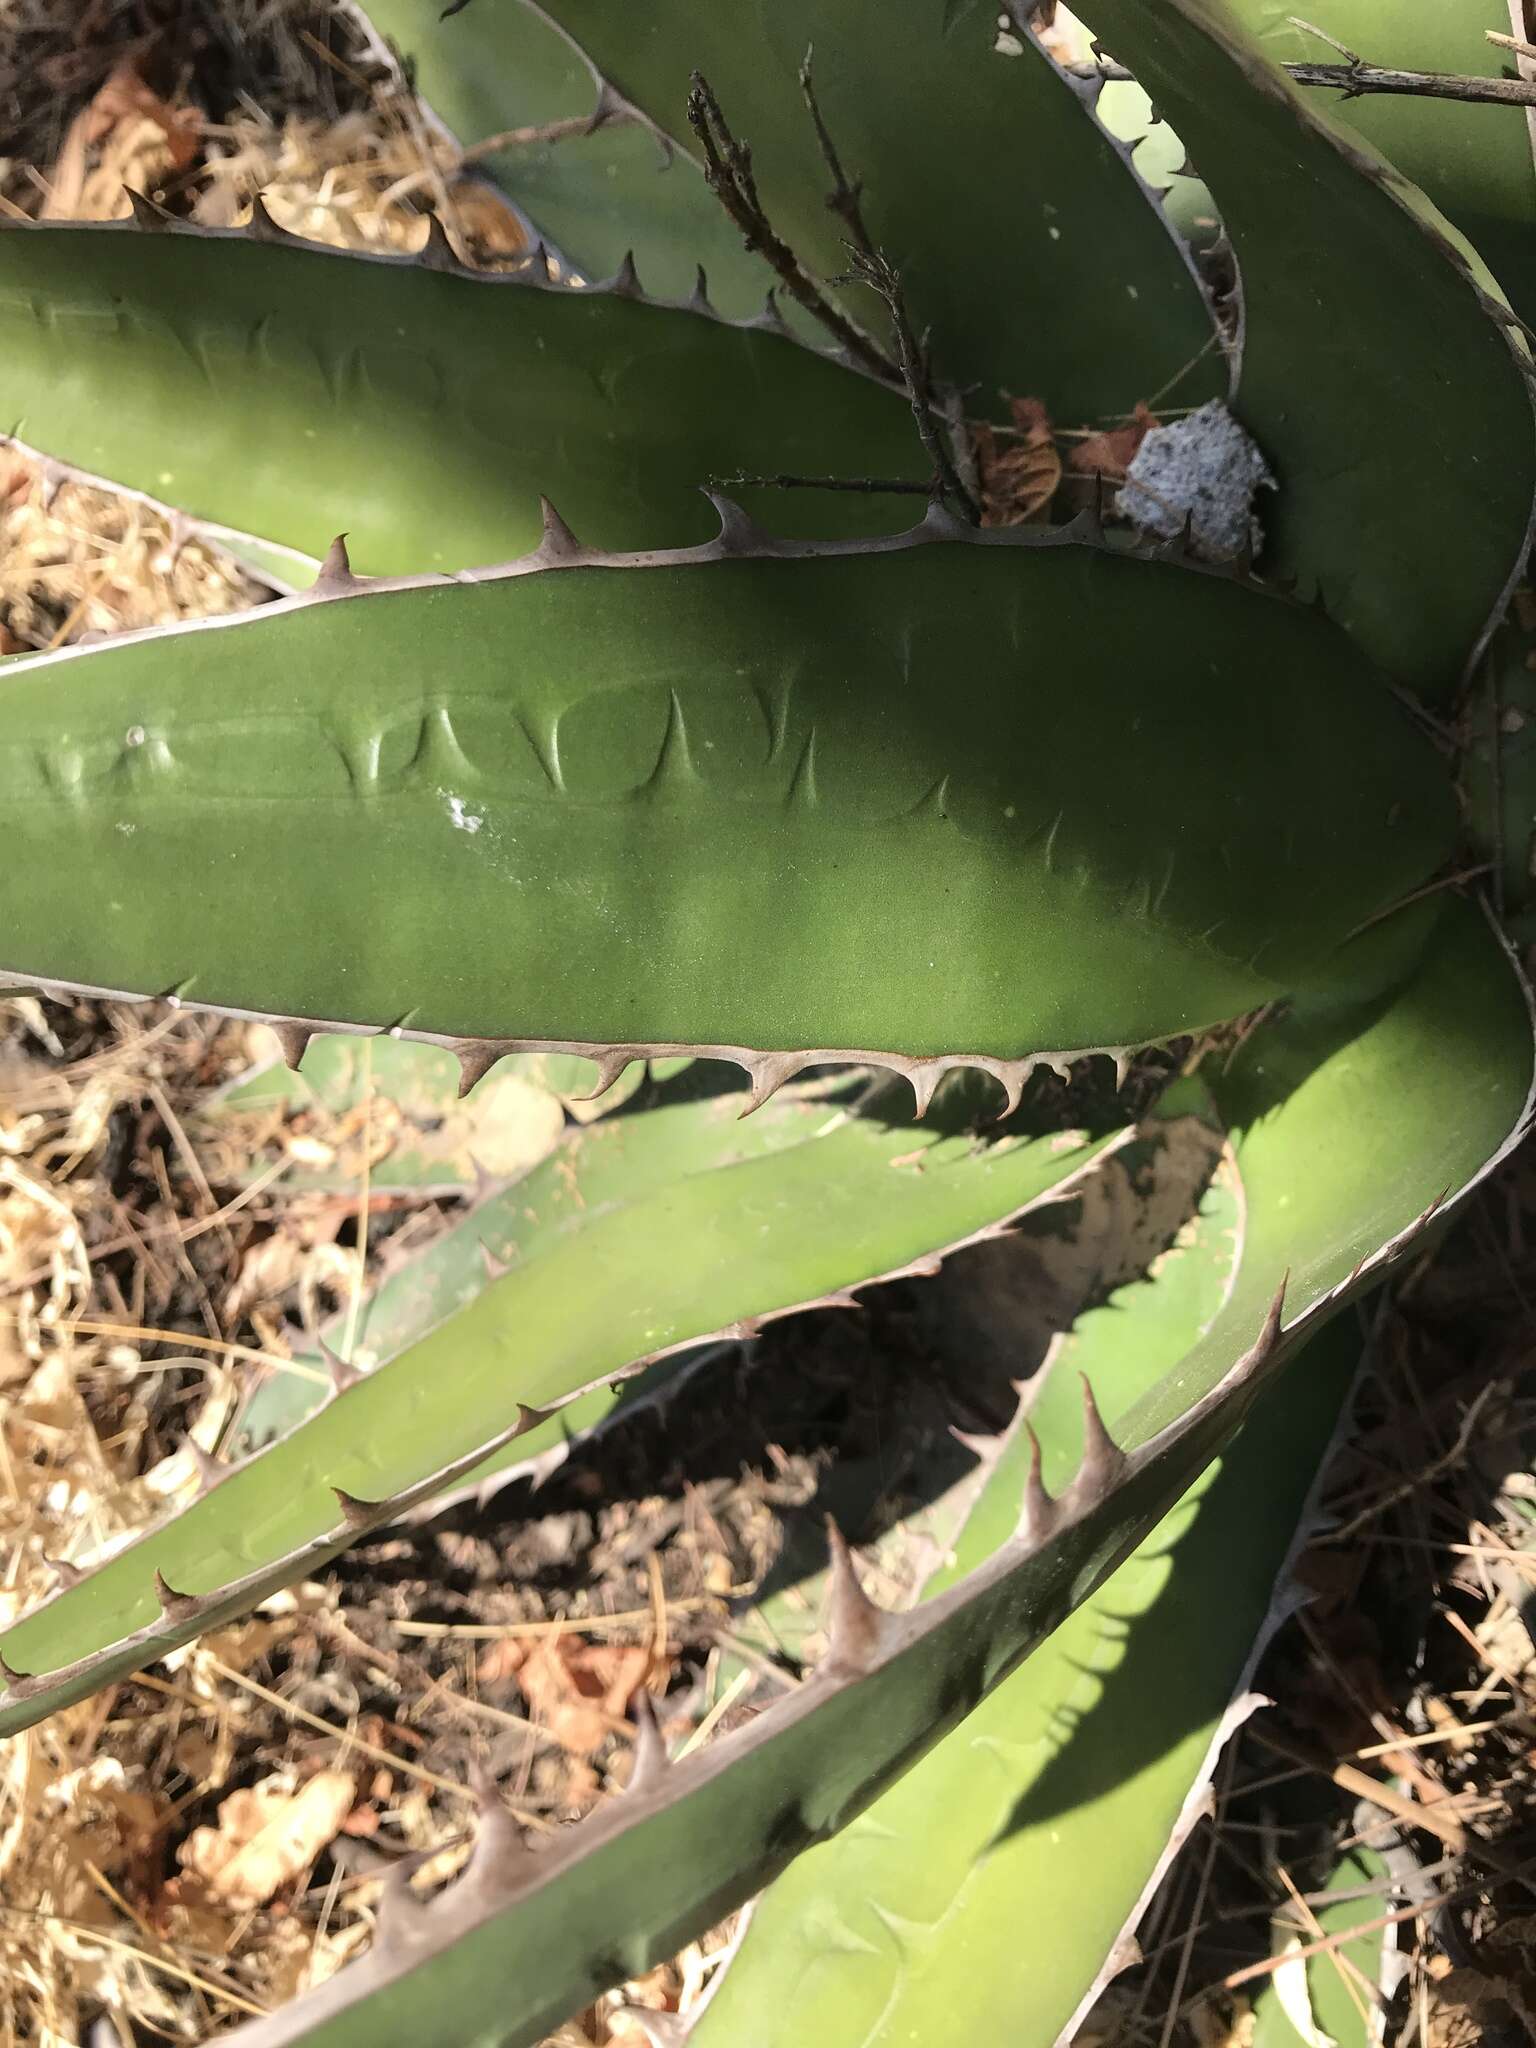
[(785, 779)]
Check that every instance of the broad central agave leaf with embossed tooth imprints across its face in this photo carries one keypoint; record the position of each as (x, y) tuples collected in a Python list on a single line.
[(916, 804)]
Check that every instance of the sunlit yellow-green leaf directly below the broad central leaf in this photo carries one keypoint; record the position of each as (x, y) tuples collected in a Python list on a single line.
[(722, 1230)]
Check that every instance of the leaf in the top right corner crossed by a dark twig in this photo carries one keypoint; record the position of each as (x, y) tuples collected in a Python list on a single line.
[(1474, 163)]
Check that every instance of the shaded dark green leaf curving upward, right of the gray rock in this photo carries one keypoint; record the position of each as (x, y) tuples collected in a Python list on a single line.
[(1392, 407)]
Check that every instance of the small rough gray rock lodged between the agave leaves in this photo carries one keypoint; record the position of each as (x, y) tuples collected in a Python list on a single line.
[(1203, 470)]
